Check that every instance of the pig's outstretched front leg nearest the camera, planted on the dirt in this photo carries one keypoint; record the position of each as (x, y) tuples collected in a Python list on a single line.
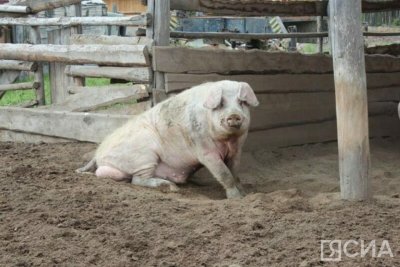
[(221, 172)]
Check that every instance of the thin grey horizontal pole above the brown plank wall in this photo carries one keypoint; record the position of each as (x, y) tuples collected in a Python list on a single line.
[(245, 36)]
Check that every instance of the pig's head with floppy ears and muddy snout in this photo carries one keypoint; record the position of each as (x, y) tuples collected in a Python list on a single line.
[(228, 105)]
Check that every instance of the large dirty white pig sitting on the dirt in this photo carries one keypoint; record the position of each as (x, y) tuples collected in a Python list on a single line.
[(204, 126)]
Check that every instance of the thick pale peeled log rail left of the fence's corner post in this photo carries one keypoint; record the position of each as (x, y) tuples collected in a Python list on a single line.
[(118, 55)]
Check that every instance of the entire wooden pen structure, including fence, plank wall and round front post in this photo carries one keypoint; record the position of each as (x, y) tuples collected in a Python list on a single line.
[(304, 98)]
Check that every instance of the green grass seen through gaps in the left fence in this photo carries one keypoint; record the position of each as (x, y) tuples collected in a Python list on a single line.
[(12, 98)]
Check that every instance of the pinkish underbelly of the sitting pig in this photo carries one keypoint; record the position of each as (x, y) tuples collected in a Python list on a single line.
[(175, 174)]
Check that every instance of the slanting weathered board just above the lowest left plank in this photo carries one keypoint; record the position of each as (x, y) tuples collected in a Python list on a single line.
[(89, 99)]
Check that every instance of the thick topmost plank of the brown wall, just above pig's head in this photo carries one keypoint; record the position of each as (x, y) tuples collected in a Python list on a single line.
[(204, 61)]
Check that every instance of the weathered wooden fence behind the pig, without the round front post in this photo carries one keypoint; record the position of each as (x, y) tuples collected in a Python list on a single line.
[(296, 91)]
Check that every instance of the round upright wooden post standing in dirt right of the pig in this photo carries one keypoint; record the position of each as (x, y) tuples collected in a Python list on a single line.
[(351, 98)]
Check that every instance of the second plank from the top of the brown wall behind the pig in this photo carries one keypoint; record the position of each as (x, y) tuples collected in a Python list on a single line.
[(278, 83)]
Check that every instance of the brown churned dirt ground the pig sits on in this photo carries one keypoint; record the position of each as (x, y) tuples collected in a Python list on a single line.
[(50, 216)]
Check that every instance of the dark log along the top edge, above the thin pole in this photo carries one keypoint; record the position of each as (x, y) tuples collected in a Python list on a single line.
[(272, 8)]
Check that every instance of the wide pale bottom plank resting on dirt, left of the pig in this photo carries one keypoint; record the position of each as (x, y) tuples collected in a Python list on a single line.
[(79, 126)]
